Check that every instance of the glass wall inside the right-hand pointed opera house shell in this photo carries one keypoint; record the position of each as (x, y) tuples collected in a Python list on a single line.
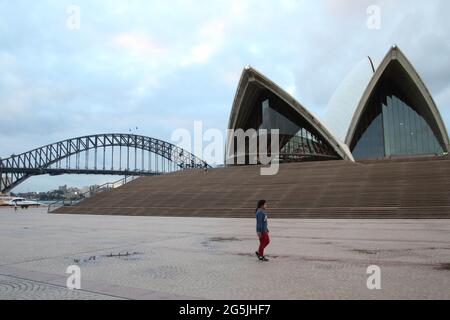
[(392, 127)]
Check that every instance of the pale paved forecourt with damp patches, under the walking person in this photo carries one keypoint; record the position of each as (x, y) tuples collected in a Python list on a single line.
[(199, 258)]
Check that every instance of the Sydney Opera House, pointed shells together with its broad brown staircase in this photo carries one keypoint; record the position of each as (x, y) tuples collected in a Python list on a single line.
[(381, 152)]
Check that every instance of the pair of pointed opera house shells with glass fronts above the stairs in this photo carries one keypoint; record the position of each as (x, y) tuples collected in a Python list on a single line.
[(395, 117)]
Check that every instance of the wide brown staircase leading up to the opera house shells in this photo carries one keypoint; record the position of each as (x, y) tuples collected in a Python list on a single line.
[(402, 188)]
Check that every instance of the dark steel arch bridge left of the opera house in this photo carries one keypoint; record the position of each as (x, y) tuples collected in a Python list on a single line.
[(106, 154)]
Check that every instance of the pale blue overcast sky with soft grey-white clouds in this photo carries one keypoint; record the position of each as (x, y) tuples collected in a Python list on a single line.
[(161, 65)]
